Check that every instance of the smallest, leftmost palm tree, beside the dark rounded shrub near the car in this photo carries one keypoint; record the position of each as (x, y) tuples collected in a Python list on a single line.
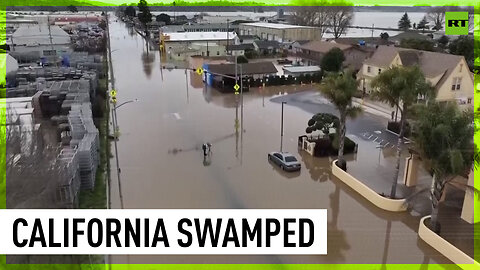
[(340, 88)]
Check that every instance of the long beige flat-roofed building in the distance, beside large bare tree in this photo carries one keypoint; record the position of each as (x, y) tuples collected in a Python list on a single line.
[(280, 32)]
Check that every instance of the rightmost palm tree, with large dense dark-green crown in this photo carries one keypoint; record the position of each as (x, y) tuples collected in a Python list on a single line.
[(444, 139)]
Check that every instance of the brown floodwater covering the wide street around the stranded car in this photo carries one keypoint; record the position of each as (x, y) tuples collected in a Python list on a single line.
[(162, 164)]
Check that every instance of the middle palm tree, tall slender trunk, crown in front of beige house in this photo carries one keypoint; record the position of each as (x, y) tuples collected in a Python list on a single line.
[(400, 87)]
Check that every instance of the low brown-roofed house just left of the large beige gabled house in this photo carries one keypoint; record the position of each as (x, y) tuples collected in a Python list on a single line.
[(313, 52)]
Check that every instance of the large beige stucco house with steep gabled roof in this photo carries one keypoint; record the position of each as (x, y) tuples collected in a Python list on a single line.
[(448, 73)]
